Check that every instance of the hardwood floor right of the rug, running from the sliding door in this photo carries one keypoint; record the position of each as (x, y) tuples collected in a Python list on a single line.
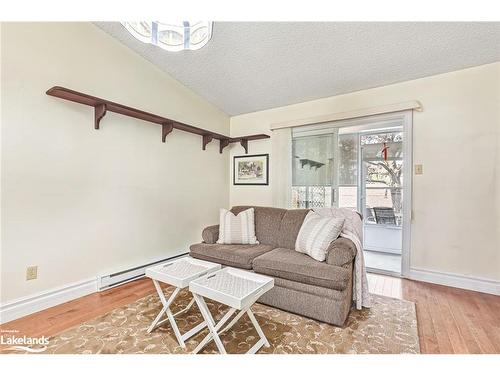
[(450, 320)]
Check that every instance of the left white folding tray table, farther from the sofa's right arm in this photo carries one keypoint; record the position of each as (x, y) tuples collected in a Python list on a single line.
[(178, 273)]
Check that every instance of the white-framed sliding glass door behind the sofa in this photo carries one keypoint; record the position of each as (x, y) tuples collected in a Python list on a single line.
[(359, 164)]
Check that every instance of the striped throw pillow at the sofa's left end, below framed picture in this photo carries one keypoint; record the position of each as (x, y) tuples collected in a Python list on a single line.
[(238, 229)]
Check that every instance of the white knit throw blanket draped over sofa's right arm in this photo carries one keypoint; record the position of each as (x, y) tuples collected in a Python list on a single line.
[(353, 230)]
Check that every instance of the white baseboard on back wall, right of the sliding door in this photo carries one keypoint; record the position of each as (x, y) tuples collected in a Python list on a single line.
[(455, 280)]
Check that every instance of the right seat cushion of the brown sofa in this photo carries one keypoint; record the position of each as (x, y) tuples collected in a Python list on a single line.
[(291, 265)]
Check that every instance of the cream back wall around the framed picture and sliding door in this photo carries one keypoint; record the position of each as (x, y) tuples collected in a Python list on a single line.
[(456, 225)]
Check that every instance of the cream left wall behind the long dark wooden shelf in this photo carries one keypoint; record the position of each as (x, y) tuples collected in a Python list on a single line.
[(79, 202)]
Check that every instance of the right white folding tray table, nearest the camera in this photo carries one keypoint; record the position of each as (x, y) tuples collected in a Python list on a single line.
[(237, 289)]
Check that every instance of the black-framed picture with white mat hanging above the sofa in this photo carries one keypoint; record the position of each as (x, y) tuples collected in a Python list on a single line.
[(251, 170)]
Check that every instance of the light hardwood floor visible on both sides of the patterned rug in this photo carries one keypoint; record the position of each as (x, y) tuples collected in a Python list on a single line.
[(450, 320)]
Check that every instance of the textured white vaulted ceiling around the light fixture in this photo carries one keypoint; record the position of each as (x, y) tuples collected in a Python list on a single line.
[(248, 67)]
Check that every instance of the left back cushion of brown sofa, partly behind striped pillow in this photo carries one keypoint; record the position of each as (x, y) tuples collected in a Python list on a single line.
[(267, 222)]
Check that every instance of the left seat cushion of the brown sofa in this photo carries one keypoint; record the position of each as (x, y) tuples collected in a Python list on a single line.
[(240, 256)]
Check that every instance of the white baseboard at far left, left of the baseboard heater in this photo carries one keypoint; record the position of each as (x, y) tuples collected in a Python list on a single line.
[(18, 308)]
